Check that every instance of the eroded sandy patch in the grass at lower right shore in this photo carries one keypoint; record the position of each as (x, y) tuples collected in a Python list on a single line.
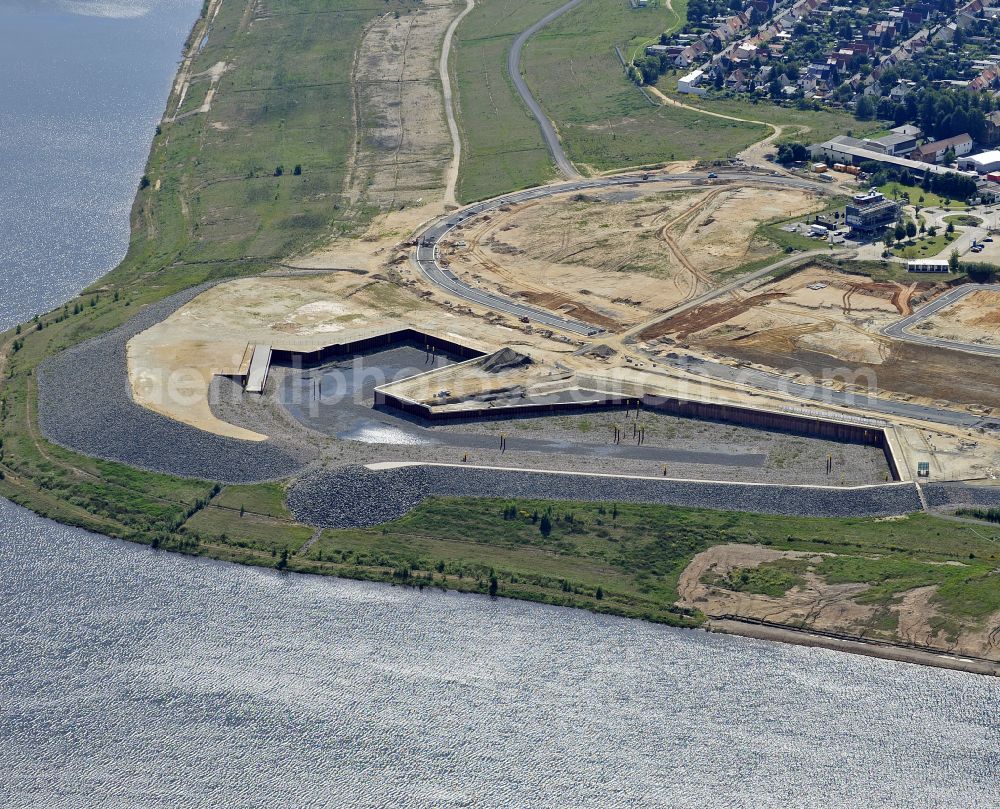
[(824, 607)]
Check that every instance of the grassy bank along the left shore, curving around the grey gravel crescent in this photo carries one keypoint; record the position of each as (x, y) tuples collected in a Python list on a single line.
[(213, 208)]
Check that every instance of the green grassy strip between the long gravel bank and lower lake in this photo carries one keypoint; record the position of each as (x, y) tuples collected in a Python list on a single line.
[(626, 559)]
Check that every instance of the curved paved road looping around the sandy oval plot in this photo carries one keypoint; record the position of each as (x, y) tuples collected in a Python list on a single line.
[(426, 255)]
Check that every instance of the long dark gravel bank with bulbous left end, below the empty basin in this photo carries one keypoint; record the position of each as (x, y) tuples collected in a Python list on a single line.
[(352, 496)]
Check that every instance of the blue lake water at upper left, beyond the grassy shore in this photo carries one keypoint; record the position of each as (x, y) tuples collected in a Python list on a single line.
[(84, 85)]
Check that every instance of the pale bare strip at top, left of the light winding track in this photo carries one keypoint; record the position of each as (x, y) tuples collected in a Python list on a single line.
[(404, 147)]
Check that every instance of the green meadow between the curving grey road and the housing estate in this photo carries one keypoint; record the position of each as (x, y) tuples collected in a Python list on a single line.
[(605, 122)]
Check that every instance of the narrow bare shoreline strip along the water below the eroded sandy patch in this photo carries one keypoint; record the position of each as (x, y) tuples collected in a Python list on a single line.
[(883, 650)]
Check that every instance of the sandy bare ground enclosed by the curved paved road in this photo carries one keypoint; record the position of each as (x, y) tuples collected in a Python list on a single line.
[(618, 258)]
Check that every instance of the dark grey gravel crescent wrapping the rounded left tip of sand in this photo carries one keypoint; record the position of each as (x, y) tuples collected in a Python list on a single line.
[(85, 404)]
